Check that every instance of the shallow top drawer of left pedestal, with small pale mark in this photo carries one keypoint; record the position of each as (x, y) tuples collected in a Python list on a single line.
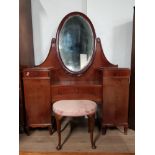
[(36, 73)]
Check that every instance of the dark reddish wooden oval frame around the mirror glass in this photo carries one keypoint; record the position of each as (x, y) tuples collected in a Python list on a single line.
[(94, 41)]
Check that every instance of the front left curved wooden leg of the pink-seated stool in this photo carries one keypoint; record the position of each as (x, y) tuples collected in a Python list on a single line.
[(58, 122)]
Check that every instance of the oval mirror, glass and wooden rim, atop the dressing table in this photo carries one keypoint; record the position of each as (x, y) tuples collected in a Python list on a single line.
[(75, 42)]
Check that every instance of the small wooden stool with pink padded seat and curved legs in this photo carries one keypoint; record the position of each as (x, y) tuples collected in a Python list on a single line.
[(75, 108)]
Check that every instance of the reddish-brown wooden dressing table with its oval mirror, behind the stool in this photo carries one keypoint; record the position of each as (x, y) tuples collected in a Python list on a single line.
[(76, 68)]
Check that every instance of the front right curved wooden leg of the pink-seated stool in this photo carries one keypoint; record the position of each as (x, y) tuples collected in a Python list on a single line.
[(91, 119)]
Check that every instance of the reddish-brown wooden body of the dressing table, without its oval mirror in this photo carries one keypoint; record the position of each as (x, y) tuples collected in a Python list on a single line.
[(101, 82)]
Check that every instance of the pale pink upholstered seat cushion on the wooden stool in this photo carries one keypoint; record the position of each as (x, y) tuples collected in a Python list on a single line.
[(74, 107)]
